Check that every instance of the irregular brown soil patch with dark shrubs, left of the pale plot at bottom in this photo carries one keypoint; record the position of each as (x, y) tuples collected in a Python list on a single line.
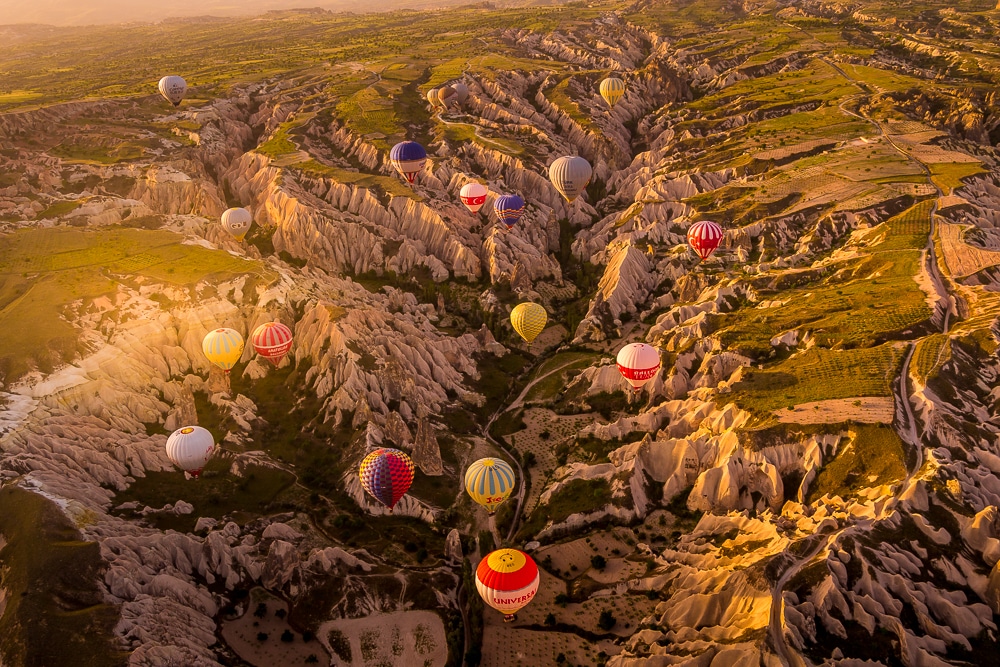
[(241, 636)]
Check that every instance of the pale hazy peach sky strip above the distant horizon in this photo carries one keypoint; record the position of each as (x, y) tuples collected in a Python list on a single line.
[(83, 12)]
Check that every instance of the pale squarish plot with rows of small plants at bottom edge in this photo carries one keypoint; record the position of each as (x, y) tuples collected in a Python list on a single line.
[(410, 638)]
